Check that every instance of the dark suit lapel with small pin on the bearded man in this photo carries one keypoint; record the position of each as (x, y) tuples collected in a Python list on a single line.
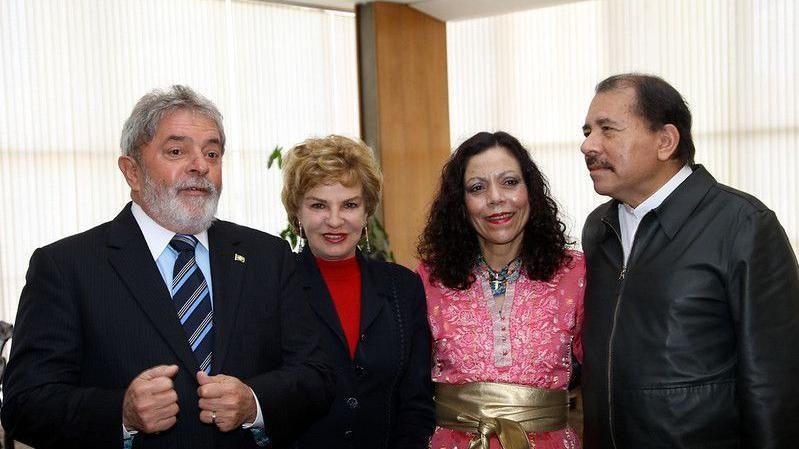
[(228, 262)]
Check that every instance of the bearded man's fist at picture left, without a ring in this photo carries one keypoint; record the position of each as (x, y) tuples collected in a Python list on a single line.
[(151, 403)]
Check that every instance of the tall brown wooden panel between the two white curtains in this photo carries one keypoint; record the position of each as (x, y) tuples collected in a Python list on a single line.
[(405, 112)]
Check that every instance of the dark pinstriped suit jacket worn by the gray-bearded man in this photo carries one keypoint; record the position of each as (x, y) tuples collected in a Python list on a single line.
[(95, 313)]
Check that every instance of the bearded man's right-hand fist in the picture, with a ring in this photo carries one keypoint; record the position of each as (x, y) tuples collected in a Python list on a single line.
[(227, 399)]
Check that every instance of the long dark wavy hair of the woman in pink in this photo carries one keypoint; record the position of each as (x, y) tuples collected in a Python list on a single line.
[(449, 244)]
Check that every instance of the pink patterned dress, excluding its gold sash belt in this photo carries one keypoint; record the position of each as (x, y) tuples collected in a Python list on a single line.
[(528, 341)]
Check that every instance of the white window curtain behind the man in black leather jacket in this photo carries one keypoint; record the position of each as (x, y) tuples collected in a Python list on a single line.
[(532, 74)]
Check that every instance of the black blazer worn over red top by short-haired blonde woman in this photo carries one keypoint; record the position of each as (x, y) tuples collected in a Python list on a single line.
[(384, 397)]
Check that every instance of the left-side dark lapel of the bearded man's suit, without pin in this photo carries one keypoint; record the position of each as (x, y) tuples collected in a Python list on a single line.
[(133, 262)]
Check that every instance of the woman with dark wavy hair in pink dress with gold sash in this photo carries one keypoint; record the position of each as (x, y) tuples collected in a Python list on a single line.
[(505, 302)]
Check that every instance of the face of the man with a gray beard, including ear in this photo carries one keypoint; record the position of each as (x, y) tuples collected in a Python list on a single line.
[(180, 176)]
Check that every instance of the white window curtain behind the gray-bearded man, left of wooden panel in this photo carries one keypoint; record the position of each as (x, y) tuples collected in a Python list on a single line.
[(71, 71)]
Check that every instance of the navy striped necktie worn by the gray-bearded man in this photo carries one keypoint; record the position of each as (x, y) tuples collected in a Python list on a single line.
[(192, 300)]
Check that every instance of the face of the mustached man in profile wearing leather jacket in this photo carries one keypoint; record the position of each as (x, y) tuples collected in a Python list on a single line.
[(621, 152)]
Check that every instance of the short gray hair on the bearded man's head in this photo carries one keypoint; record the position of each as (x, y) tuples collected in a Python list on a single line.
[(140, 127)]
